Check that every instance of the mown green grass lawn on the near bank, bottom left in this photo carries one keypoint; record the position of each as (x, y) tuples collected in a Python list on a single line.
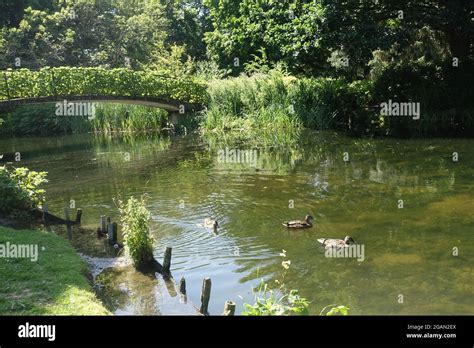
[(54, 285)]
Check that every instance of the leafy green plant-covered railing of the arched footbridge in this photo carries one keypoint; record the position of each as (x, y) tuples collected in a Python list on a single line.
[(69, 81)]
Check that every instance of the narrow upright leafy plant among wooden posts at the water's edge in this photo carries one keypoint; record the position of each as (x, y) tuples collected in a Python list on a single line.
[(135, 219)]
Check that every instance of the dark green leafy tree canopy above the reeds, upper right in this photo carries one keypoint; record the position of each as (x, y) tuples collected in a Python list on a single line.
[(312, 36)]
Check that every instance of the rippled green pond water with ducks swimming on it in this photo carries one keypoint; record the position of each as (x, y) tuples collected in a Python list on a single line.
[(407, 252)]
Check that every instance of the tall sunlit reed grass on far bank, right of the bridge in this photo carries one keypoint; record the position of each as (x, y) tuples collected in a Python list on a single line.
[(277, 102)]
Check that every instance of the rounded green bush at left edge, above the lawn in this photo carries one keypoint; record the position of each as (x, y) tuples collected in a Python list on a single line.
[(20, 191)]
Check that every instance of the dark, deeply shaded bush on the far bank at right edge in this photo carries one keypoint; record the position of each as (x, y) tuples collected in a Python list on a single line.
[(446, 100)]
